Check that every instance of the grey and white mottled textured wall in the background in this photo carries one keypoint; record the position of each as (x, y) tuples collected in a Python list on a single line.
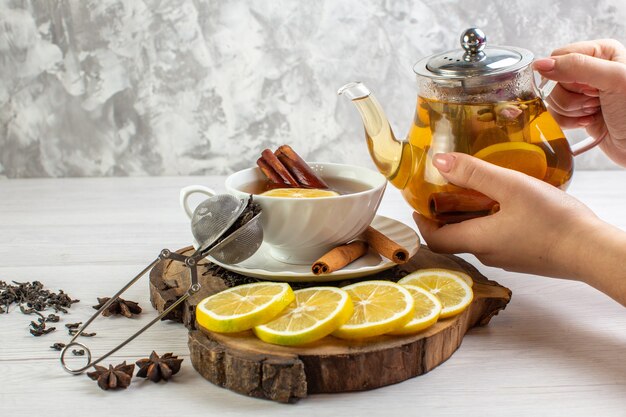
[(122, 87)]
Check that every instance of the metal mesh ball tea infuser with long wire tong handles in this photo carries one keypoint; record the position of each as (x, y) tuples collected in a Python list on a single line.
[(212, 219)]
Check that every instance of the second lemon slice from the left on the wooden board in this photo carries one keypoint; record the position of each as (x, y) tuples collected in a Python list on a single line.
[(315, 313)]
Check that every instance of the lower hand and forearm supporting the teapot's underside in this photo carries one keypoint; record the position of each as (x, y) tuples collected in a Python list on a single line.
[(539, 228)]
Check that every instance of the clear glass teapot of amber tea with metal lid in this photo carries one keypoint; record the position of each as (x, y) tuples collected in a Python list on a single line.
[(480, 100)]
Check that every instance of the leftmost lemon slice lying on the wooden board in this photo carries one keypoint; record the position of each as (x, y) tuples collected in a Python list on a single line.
[(243, 307)]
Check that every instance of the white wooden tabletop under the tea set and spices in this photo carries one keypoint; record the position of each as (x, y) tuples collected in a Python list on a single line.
[(559, 348)]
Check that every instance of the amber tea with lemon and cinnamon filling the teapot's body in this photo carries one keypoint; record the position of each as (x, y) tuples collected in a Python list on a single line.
[(519, 135)]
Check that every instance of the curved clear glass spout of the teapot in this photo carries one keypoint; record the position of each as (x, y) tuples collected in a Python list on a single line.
[(386, 151)]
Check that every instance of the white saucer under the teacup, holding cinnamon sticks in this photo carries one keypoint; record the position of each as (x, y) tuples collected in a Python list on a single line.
[(263, 265)]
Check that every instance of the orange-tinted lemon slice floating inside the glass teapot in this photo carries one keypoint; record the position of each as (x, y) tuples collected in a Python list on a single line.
[(520, 156)]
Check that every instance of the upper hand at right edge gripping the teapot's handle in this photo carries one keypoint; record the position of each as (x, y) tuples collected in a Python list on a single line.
[(591, 91)]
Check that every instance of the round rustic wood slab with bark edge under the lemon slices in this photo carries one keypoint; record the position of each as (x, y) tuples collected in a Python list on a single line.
[(245, 364)]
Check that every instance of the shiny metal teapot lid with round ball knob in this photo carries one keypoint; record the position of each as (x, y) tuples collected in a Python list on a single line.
[(476, 59)]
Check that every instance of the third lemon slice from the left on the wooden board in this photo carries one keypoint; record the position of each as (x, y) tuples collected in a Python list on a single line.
[(379, 307)]
